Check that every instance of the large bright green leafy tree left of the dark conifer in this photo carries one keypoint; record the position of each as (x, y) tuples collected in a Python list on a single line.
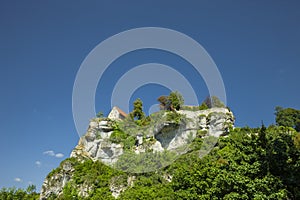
[(231, 171)]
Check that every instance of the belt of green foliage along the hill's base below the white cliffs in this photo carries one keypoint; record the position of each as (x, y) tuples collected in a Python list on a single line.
[(260, 163)]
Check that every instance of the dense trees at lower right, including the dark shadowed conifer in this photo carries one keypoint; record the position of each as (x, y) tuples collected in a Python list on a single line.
[(249, 164)]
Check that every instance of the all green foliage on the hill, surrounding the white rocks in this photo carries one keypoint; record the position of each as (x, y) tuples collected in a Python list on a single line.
[(247, 163)]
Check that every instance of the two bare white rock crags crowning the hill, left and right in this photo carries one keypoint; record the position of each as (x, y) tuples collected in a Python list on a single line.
[(169, 135)]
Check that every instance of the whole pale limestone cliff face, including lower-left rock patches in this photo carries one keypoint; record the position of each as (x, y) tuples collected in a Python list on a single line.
[(163, 134)]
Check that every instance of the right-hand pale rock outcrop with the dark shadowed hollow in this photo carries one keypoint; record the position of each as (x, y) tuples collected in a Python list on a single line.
[(214, 121)]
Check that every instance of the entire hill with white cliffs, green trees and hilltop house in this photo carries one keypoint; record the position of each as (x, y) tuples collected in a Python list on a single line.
[(180, 152)]
